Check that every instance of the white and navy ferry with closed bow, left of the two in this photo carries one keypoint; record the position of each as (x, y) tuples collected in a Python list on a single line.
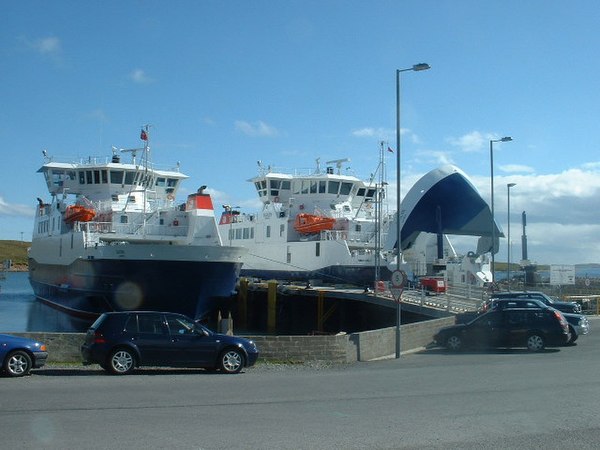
[(113, 237)]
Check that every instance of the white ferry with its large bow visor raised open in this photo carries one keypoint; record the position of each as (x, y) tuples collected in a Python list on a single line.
[(330, 226)]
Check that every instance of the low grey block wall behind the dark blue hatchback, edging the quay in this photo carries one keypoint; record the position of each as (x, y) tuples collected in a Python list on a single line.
[(341, 348)]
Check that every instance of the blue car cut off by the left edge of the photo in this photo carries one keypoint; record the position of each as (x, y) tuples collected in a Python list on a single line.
[(19, 355)]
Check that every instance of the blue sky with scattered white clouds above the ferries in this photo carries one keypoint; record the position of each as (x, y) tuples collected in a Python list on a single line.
[(224, 84)]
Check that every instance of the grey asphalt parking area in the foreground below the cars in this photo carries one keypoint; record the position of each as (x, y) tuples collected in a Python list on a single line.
[(434, 399)]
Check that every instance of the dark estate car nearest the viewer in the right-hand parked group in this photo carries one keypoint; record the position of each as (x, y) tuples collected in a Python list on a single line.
[(534, 328)]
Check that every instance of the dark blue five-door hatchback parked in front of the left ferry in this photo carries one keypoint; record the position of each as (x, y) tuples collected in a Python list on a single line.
[(121, 341)]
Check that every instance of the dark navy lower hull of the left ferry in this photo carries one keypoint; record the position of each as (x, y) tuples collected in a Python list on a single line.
[(89, 287)]
